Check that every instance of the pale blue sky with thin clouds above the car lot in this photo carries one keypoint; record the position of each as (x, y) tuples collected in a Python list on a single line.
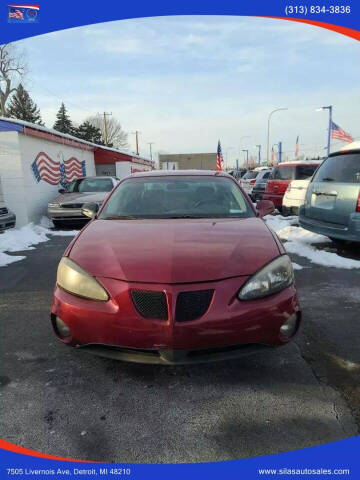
[(185, 82)]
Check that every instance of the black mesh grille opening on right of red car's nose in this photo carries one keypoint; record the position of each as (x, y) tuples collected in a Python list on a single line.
[(192, 305)]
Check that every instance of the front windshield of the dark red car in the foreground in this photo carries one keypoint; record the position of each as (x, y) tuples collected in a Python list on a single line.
[(177, 197)]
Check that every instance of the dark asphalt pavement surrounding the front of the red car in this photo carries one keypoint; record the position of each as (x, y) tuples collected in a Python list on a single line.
[(69, 403)]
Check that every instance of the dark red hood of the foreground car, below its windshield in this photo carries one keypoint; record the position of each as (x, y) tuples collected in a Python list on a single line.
[(174, 251)]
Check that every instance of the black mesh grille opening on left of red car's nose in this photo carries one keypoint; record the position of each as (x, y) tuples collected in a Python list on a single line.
[(150, 304)]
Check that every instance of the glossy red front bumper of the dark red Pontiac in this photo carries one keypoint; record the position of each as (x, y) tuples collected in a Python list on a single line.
[(228, 328)]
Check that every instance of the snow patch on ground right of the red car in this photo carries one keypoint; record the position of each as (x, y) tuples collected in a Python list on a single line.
[(300, 241)]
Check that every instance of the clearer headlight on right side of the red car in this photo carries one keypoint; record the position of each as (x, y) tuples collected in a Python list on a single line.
[(273, 278)]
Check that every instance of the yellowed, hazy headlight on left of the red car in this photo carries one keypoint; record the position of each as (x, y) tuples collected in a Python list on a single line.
[(74, 279)]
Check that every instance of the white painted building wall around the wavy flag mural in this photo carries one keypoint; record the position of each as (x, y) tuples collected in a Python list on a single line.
[(23, 193)]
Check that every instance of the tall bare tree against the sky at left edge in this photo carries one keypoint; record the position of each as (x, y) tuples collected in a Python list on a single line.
[(12, 70)]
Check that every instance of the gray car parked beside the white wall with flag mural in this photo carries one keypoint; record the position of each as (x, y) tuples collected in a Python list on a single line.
[(65, 209)]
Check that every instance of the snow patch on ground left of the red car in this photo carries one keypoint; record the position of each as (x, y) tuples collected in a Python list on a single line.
[(24, 238)]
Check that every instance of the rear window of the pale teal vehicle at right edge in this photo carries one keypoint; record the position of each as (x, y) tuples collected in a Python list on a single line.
[(340, 168)]
